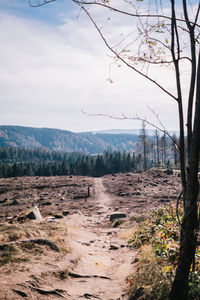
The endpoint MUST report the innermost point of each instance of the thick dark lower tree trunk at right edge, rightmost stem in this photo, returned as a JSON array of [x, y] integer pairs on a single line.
[[190, 221]]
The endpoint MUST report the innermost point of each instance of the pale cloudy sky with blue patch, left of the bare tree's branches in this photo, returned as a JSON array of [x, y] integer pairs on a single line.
[[54, 66]]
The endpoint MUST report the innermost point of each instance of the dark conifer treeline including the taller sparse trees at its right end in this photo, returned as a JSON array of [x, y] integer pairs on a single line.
[[151, 151]]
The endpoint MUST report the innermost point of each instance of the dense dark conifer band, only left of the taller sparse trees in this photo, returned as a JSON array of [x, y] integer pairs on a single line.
[[15, 162]]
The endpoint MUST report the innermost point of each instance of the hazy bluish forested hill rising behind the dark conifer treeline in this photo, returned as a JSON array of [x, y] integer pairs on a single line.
[[62, 140]]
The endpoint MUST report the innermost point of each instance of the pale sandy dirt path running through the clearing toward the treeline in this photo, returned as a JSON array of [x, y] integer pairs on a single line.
[[103, 259]]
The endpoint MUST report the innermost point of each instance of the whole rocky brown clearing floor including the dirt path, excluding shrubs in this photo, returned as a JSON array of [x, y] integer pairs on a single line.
[[75, 251]]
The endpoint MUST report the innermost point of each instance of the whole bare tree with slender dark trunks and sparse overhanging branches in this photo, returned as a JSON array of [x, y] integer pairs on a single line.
[[166, 36]]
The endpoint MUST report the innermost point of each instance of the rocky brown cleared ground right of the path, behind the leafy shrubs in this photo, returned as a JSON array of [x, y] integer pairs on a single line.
[[137, 193]]
